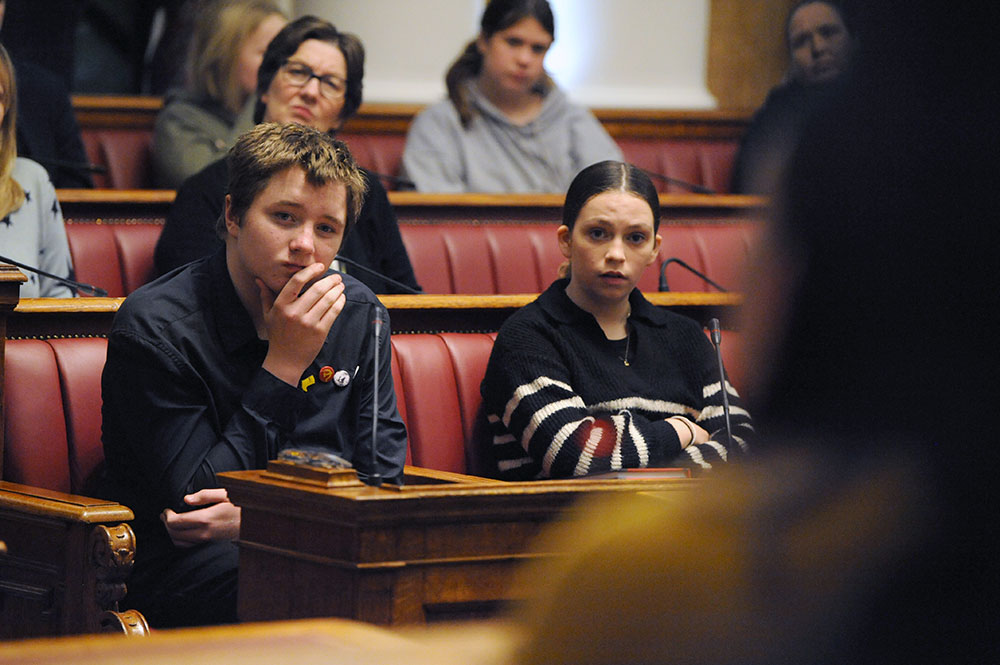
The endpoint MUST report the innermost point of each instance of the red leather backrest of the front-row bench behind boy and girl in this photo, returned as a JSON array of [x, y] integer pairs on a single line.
[[52, 402]]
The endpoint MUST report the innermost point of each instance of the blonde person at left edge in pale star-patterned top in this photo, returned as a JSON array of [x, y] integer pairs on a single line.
[[31, 223]]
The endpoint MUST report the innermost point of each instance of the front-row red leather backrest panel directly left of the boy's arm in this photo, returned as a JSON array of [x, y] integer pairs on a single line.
[[80, 363]]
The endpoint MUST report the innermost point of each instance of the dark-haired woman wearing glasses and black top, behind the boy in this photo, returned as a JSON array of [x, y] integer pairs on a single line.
[[311, 74]]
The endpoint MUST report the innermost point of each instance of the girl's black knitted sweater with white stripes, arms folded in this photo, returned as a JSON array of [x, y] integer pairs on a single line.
[[561, 402]]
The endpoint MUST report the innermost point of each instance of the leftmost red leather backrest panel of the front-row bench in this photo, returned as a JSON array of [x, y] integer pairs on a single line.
[[36, 451]]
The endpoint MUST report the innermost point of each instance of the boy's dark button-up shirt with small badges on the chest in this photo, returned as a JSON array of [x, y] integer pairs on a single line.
[[185, 396]]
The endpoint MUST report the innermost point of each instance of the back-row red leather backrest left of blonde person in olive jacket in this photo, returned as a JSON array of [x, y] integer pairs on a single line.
[[125, 153]]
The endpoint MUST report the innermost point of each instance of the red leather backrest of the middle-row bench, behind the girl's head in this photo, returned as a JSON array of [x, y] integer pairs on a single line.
[[447, 257]]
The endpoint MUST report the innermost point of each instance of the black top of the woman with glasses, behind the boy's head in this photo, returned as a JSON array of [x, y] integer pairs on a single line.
[[374, 241]]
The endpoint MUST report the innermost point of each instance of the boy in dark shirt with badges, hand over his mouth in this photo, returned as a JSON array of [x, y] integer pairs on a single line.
[[224, 363]]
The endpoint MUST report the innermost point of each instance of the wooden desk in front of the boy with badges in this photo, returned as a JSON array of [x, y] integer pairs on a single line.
[[444, 547]]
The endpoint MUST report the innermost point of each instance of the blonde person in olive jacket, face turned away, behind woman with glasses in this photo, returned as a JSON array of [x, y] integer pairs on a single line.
[[199, 123]]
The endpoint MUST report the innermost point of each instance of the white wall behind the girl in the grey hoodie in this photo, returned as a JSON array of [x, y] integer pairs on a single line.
[[607, 53]]
